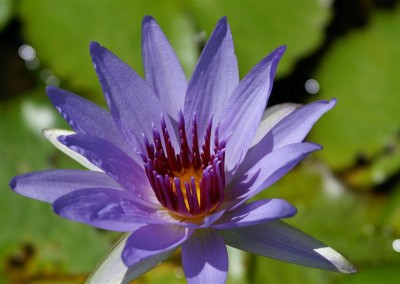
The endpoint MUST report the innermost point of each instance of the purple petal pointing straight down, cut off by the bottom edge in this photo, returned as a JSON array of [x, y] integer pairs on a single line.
[[204, 258]]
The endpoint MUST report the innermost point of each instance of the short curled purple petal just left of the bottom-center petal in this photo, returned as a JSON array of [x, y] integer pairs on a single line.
[[152, 240]]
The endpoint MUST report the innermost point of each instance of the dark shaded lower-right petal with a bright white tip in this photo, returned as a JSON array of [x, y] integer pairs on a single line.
[[281, 241]]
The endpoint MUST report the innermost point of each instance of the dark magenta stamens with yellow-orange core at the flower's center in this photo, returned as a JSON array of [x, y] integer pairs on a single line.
[[190, 184]]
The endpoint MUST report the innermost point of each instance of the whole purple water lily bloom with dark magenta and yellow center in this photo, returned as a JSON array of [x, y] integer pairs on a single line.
[[174, 164]]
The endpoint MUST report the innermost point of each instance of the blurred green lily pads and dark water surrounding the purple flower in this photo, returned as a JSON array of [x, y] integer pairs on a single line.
[[348, 195]]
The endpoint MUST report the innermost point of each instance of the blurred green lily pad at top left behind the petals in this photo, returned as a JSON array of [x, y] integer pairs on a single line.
[[61, 31]]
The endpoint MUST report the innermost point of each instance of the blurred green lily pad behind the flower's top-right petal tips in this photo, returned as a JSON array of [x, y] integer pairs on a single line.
[[258, 27]]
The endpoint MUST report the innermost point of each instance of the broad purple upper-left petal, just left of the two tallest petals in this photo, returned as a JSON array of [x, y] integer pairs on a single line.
[[133, 104]]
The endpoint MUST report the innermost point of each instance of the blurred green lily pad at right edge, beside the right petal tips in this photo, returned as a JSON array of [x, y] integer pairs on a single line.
[[361, 71]]
